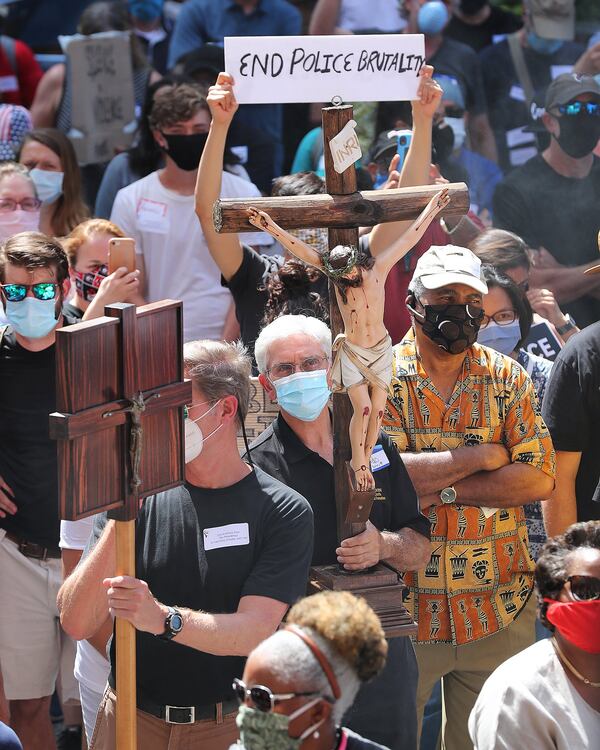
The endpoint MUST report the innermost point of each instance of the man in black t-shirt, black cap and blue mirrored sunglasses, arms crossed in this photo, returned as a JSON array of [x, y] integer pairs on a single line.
[[552, 201]]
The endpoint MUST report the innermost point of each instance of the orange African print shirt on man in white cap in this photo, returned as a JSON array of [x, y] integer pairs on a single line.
[[480, 573]]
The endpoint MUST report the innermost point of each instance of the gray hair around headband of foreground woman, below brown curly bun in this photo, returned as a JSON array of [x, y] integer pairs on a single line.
[[291, 660]]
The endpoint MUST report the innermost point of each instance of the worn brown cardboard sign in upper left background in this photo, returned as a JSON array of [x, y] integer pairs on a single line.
[[102, 94]]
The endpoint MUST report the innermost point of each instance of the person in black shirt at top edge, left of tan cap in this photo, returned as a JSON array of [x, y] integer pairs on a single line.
[[476, 23]]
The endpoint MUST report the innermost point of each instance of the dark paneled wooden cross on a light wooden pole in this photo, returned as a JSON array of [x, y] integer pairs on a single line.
[[119, 427]]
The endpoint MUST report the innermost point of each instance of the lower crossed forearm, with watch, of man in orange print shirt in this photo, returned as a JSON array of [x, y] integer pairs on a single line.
[[507, 487]]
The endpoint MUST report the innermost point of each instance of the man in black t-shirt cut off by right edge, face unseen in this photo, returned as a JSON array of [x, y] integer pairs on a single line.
[[571, 409]]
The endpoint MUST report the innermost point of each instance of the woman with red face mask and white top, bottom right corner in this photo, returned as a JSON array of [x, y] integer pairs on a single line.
[[548, 696]]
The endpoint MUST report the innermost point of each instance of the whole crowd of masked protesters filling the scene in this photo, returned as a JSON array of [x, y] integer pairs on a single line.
[[485, 468]]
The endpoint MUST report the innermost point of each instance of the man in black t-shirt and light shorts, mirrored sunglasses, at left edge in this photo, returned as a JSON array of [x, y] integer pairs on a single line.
[[34, 282]]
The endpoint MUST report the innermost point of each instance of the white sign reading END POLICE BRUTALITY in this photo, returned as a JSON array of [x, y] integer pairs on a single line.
[[348, 68]]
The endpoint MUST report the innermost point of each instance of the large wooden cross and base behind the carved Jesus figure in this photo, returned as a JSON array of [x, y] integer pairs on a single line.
[[342, 210]]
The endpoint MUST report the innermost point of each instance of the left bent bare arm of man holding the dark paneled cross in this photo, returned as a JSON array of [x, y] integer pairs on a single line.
[[82, 599]]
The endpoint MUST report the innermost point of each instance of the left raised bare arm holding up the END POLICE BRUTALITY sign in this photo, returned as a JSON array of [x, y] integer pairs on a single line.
[[225, 249]]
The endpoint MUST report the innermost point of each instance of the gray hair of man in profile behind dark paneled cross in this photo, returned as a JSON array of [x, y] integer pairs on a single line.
[[220, 369]]
